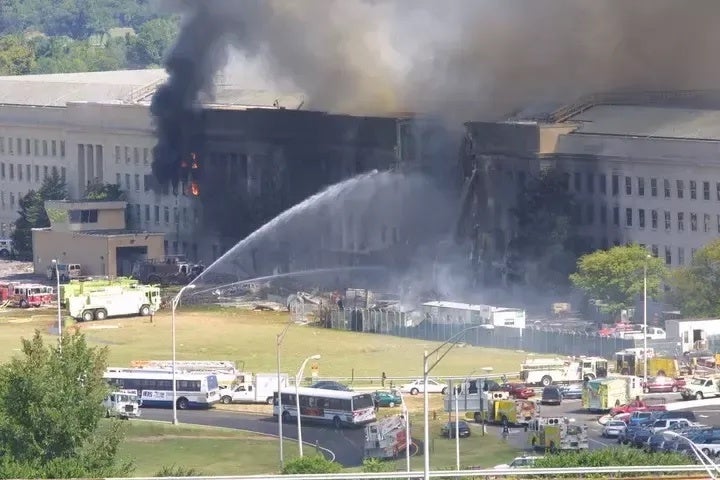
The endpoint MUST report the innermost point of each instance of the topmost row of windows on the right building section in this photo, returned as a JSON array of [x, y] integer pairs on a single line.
[[639, 187]]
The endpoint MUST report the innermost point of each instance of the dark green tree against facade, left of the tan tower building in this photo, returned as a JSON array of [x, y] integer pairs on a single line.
[[32, 212]]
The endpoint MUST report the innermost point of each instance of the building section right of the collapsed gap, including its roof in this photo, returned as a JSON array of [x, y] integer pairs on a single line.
[[641, 168]]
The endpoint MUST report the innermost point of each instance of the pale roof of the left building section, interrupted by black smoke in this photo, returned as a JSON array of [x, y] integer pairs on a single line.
[[124, 86]]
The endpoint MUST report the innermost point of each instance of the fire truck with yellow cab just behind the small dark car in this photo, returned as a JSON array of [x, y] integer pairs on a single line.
[[492, 407]]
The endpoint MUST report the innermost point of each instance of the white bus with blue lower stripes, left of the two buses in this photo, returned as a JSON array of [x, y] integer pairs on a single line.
[[154, 387]]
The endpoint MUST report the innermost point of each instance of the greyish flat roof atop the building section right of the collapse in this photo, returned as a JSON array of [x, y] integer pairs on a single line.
[[649, 122]]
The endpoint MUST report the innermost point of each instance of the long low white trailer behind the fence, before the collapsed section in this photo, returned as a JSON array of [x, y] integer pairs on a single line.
[[454, 313]]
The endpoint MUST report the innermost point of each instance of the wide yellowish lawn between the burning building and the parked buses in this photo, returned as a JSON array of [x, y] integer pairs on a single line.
[[249, 337]]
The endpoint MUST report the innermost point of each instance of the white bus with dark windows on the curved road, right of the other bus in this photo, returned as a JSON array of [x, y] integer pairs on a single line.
[[339, 407]]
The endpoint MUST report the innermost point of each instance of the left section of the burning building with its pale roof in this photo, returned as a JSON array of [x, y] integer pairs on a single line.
[[250, 155]]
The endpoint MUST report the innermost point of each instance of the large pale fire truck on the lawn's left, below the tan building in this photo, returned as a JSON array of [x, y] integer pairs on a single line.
[[114, 303]]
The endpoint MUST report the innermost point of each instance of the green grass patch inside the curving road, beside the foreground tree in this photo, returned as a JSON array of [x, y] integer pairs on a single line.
[[210, 451]]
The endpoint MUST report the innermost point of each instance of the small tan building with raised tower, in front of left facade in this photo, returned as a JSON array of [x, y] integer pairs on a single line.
[[93, 234]]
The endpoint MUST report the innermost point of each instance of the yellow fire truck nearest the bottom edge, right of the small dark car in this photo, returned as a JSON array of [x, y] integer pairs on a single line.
[[557, 434]]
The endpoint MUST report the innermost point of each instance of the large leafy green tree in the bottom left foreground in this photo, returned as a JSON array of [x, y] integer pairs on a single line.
[[50, 411]]
